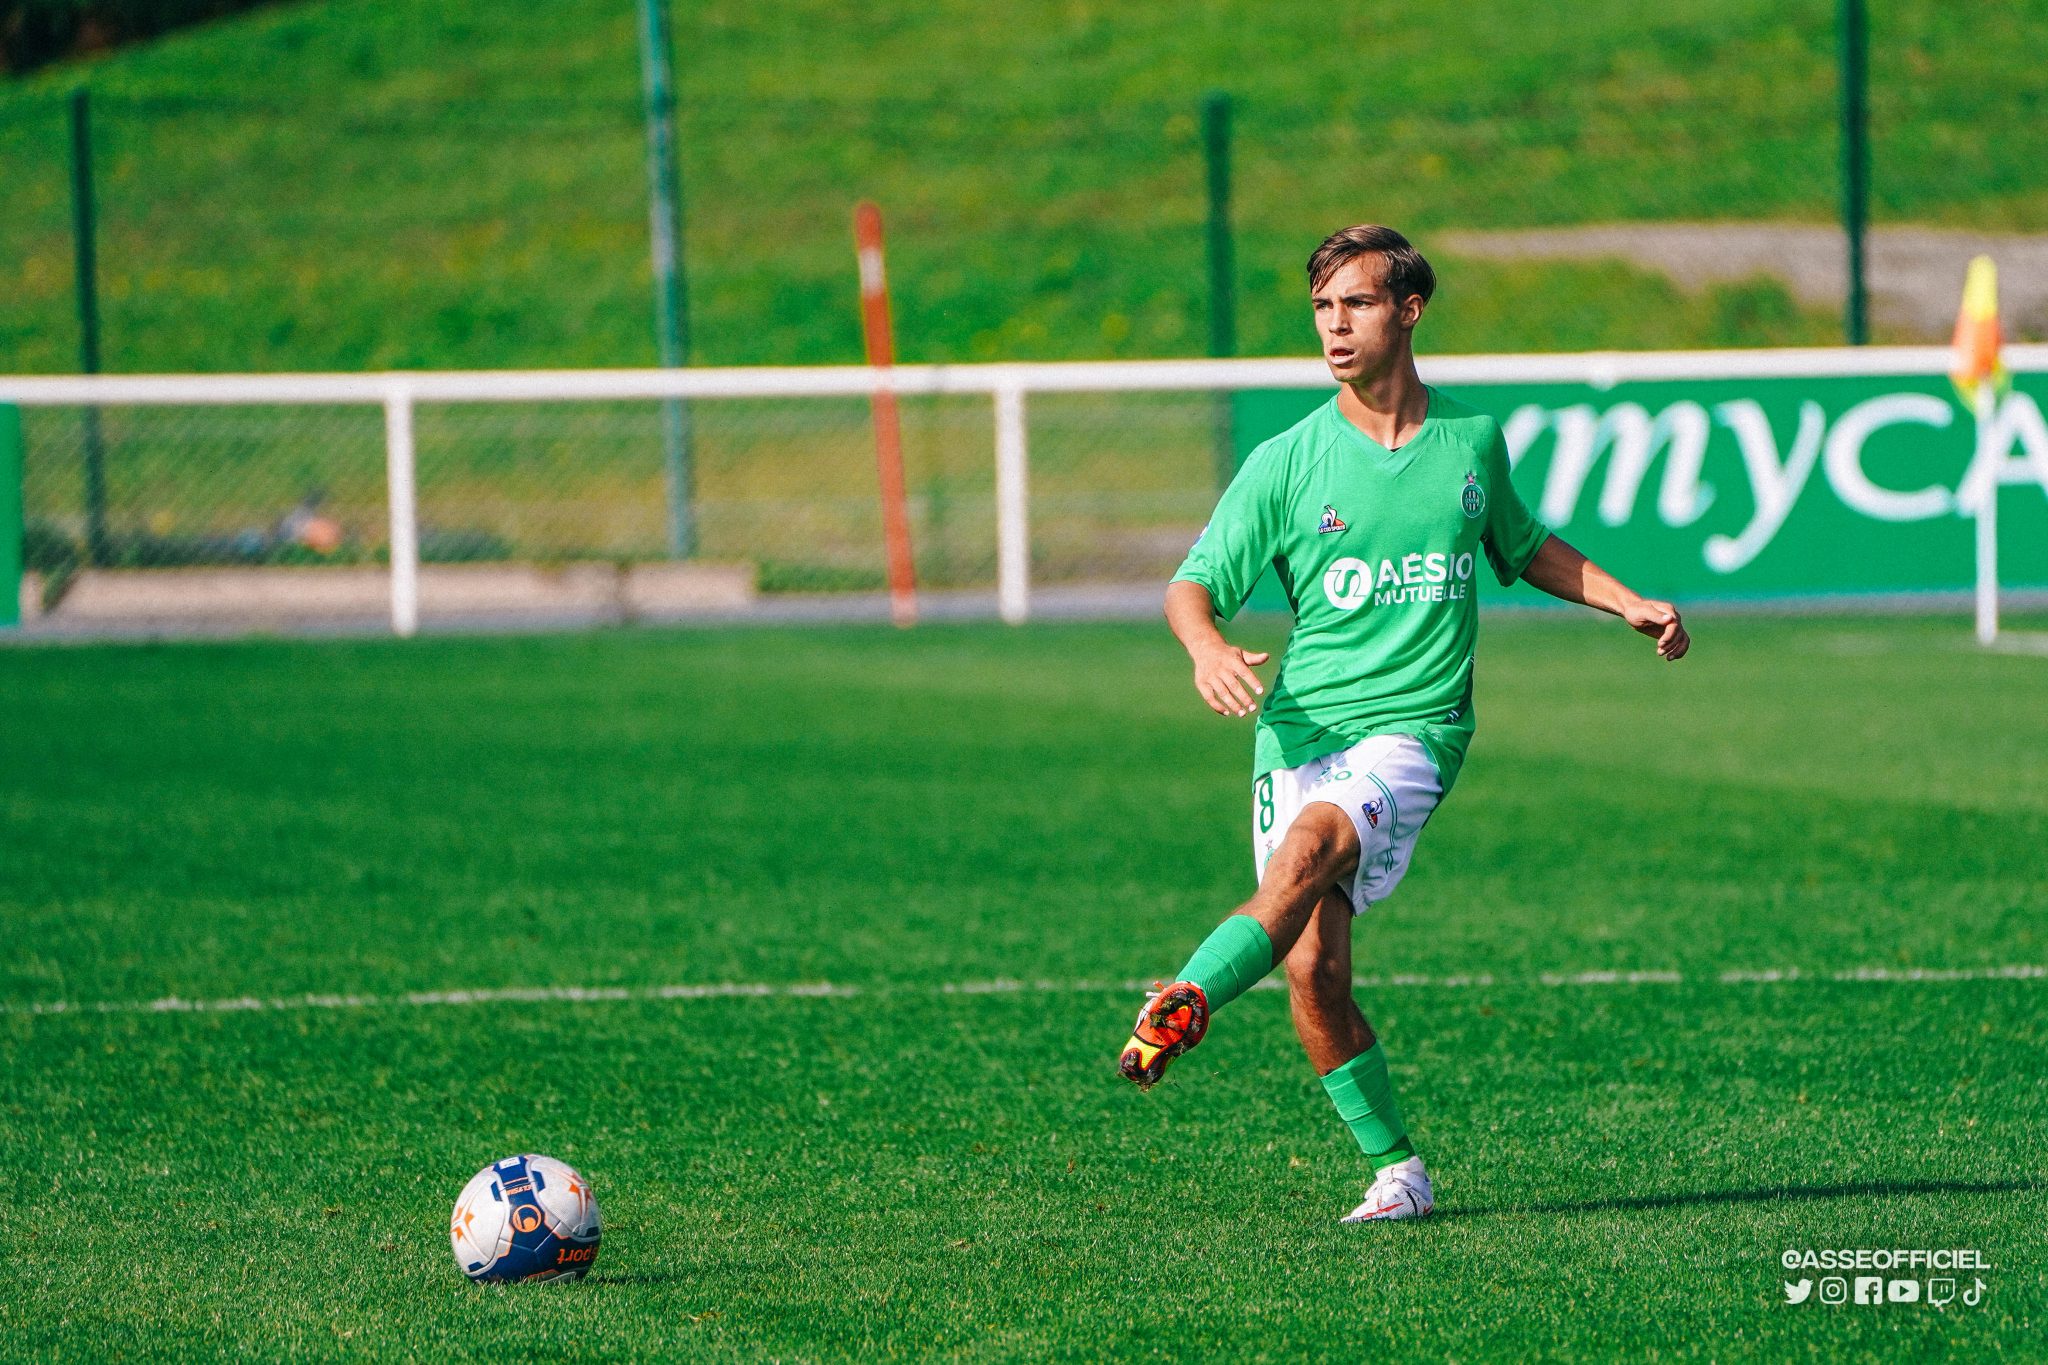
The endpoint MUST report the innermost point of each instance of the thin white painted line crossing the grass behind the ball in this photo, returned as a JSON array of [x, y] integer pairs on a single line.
[[585, 996]]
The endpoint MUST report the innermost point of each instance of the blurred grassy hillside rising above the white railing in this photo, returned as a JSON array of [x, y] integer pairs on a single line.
[[376, 183]]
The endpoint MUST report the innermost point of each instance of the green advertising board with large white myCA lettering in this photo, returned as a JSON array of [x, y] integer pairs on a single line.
[[1754, 488]]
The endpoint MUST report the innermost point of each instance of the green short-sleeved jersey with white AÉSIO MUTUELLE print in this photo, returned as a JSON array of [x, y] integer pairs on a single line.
[[1377, 556]]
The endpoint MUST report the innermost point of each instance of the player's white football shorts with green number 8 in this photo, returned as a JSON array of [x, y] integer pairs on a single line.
[[1388, 785]]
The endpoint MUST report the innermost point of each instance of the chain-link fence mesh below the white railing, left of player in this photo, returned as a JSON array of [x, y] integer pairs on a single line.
[[787, 488]]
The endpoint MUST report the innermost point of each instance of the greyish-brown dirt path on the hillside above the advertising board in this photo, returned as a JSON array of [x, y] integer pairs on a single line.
[[1916, 273]]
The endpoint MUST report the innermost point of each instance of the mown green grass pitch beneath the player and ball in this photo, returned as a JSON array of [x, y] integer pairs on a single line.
[[910, 1170]]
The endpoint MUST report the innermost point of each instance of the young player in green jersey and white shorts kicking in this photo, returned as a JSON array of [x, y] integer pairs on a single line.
[[1373, 513]]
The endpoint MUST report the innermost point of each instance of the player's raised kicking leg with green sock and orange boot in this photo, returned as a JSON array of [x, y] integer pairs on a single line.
[[1318, 852]]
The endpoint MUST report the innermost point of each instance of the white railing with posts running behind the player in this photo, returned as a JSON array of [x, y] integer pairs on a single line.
[[1007, 386]]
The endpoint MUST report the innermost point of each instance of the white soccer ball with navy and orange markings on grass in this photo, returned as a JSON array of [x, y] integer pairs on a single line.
[[525, 1219]]
